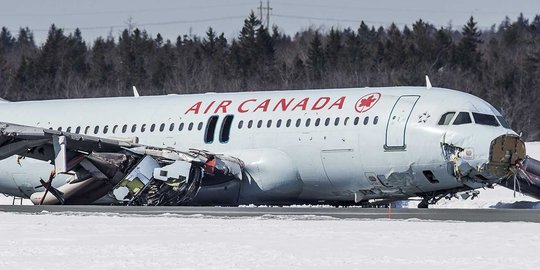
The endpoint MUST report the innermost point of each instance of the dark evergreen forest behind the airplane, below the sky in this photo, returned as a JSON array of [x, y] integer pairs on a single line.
[[501, 65]]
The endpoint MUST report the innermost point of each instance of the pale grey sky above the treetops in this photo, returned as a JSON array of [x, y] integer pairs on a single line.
[[173, 17]]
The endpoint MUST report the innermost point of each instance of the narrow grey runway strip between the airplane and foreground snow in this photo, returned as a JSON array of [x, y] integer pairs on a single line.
[[469, 215]]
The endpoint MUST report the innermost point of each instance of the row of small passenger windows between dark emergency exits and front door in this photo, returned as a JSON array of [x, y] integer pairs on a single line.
[[308, 122]]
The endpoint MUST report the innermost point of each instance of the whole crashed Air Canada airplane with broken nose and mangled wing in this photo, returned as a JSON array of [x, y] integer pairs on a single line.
[[333, 146]]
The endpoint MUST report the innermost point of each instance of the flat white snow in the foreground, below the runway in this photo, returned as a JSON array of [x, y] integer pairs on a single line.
[[52, 241]]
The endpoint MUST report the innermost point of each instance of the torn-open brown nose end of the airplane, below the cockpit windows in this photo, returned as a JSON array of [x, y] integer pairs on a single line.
[[504, 153]]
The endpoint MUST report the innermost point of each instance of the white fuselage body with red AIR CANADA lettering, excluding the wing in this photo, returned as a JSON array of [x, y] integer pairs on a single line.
[[341, 141]]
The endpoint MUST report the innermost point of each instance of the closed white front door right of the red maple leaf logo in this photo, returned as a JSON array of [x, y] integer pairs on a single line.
[[397, 122]]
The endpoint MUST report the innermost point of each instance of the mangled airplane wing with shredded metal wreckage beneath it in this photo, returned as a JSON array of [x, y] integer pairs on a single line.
[[135, 173]]
